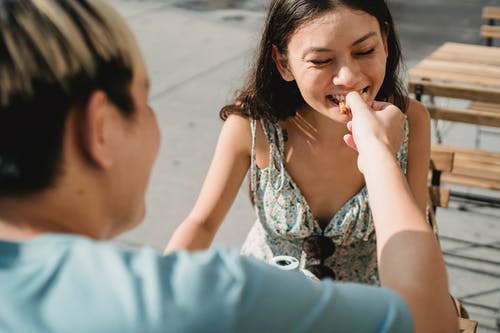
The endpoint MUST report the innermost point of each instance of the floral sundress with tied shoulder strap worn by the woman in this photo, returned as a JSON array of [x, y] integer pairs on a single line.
[[284, 218]]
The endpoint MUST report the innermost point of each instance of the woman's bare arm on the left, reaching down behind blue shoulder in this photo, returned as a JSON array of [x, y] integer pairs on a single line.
[[229, 166]]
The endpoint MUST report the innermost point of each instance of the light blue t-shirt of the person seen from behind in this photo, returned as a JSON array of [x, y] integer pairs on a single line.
[[63, 283]]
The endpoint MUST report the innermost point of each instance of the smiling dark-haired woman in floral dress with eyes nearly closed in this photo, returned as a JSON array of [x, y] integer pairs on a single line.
[[286, 127]]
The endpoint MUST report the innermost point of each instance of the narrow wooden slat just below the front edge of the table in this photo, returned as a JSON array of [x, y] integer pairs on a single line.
[[465, 116]]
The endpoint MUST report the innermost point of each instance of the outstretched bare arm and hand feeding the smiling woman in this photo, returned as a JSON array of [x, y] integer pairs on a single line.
[[410, 260]]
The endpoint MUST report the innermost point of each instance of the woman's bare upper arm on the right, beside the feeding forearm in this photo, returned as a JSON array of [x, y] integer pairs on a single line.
[[418, 151]]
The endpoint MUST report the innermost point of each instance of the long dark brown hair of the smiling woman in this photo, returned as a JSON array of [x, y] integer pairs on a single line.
[[266, 95]]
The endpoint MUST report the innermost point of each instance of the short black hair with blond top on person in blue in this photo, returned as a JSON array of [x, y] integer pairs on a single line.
[[53, 55]]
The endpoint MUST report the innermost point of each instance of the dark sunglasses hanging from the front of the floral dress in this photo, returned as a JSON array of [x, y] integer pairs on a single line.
[[319, 247]]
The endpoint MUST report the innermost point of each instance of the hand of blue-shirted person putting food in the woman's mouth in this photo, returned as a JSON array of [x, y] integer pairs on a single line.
[[373, 127]]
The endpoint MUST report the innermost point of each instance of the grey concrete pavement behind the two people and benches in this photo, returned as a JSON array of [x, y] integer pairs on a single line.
[[198, 52]]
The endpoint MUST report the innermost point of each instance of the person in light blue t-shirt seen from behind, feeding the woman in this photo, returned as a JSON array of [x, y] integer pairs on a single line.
[[77, 144]]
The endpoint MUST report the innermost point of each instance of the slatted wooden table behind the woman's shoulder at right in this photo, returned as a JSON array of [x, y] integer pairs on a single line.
[[465, 71]]
